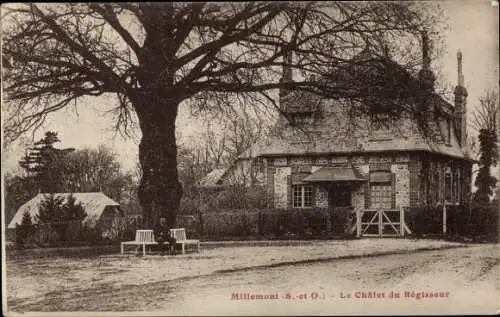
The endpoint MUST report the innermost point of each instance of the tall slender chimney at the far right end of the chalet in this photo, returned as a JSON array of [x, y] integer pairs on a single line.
[[460, 104]]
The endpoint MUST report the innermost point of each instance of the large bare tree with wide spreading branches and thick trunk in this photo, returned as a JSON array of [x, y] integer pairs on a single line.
[[154, 57]]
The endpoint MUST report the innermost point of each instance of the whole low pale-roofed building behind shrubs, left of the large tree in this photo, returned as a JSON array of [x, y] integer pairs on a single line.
[[102, 212]]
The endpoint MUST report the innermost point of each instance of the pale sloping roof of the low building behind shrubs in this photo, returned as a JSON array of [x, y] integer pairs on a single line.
[[94, 204]]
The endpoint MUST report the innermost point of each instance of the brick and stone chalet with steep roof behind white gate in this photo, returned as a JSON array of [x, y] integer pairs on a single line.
[[321, 157]]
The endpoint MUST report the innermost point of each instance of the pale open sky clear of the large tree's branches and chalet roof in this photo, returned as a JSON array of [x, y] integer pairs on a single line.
[[473, 29]]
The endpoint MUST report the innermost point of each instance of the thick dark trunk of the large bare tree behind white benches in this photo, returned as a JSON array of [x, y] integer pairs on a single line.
[[160, 191]]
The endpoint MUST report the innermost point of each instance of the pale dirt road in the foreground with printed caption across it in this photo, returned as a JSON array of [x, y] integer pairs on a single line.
[[455, 281]]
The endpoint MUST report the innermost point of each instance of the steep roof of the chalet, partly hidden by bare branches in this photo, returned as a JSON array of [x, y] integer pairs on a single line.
[[330, 140]]
